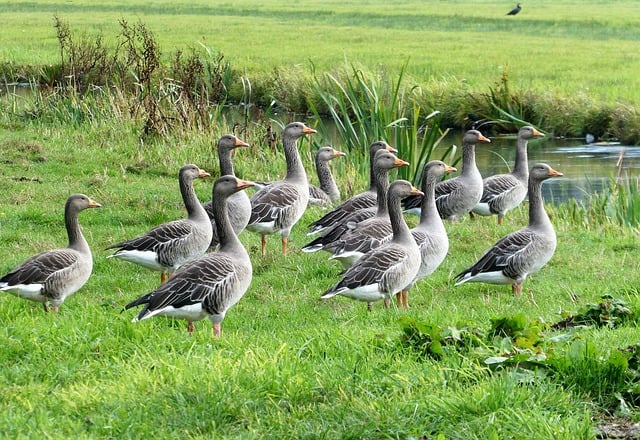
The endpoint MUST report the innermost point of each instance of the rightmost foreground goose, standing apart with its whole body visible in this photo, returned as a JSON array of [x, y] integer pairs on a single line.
[[523, 252]]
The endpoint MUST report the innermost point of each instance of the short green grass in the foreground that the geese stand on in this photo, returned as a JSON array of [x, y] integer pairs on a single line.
[[288, 364]]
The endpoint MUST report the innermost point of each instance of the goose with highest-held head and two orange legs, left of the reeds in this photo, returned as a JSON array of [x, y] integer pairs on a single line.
[[277, 207]]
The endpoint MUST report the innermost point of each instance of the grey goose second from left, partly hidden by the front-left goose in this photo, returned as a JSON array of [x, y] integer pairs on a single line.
[[168, 246]]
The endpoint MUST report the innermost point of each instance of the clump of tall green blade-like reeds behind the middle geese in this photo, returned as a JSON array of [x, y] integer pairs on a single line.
[[363, 108]]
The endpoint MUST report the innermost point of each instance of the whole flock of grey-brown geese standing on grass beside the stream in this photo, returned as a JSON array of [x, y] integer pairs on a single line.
[[205, 269]]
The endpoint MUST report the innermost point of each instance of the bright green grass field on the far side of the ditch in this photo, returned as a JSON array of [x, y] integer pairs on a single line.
[[564, 46]]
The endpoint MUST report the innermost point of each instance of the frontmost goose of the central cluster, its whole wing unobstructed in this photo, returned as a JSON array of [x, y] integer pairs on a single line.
[[387, 269]]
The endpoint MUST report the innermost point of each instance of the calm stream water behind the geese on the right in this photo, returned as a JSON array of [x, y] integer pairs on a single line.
[[587, 168]]
